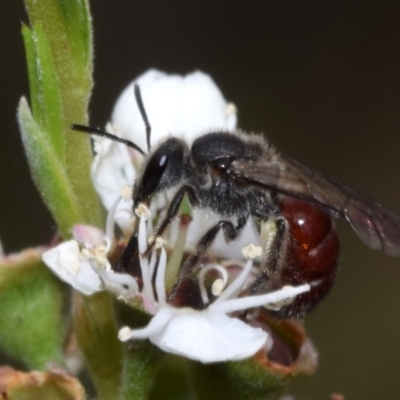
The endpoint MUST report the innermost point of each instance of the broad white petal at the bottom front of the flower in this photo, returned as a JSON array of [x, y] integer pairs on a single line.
[[209, 337]]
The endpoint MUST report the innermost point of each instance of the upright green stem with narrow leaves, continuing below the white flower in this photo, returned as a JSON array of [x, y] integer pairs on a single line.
[[59, 52]]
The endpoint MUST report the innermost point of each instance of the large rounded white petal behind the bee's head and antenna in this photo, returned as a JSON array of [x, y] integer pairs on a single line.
[[179, 105]]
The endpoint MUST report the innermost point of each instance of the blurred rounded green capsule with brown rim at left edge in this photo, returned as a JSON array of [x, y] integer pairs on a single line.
[[32, 325]]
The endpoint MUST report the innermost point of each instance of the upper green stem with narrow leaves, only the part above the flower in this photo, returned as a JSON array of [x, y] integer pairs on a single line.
[[59, 55]]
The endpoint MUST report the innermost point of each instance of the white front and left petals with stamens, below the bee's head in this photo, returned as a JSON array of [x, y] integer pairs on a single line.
[[210, 335]]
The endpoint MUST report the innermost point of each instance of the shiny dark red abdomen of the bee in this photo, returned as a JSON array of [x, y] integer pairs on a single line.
[[311, 255]]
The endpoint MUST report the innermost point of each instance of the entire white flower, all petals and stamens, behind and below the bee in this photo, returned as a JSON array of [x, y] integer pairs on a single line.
[[189, 105]]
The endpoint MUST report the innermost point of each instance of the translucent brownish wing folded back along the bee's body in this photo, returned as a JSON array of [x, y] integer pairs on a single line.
[[376, 226]]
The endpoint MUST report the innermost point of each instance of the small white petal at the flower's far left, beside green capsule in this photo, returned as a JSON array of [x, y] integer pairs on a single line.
[[65, 261]]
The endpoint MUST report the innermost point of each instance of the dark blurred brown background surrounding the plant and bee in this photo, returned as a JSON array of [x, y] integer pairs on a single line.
[[320, 78]]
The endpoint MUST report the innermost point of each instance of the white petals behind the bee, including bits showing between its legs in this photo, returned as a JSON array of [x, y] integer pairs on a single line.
[[186, 106]]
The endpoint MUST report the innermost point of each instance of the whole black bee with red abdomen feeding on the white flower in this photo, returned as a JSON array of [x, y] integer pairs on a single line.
[[241, 176]]
